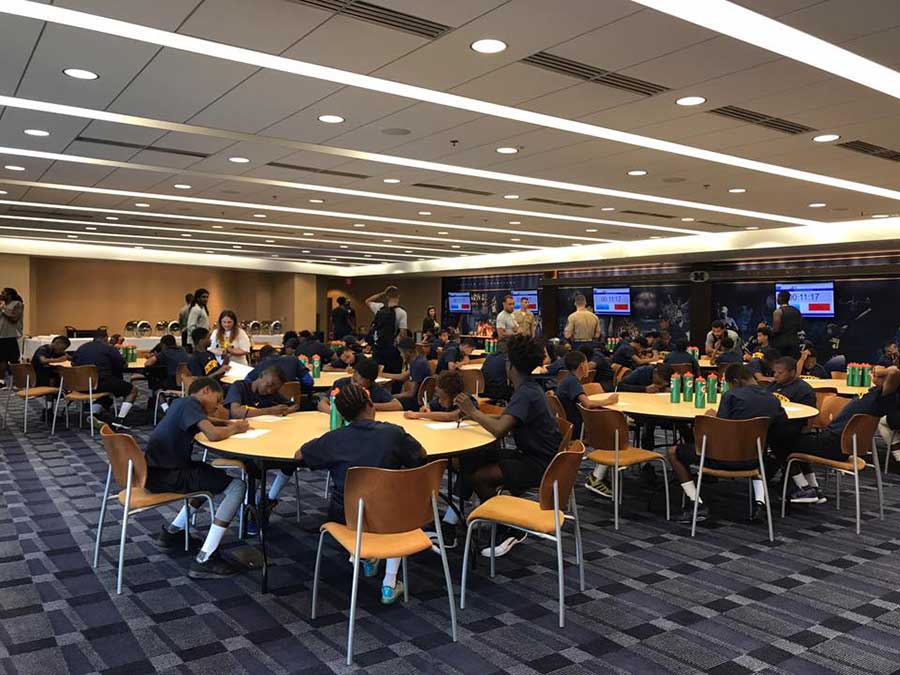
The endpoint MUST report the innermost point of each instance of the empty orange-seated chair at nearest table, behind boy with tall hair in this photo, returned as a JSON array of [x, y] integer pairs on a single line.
[[543, 518]]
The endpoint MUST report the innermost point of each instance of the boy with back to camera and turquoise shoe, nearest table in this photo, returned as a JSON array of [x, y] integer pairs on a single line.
[[364, 442]]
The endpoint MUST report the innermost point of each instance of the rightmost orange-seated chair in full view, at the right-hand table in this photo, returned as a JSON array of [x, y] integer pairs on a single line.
[[857, 439]]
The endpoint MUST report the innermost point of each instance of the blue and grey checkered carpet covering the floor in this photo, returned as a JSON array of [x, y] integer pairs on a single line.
[[820, 599]]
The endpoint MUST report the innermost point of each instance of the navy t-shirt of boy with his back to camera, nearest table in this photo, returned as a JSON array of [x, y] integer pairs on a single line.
[[361, 443]]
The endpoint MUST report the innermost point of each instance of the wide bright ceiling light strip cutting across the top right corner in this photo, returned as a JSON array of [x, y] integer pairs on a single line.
[[743, 24]]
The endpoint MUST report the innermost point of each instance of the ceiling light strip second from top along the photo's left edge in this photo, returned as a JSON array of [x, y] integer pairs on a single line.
[[406, 162]]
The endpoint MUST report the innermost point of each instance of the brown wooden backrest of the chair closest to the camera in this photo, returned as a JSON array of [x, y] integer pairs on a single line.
[[395, 500]]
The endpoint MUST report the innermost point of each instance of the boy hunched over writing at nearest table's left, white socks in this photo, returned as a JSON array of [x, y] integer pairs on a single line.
[[171, 469]]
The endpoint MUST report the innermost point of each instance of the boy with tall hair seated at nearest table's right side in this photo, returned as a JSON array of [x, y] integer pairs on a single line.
[[527, 417]]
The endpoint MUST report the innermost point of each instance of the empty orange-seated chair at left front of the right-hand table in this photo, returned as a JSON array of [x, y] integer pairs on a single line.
[[606, 433]]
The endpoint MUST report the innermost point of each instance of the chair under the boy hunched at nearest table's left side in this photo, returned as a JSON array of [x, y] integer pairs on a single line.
[[128, 466]]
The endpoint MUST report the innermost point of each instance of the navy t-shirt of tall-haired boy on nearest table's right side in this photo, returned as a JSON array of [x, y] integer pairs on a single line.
[[536, 432]]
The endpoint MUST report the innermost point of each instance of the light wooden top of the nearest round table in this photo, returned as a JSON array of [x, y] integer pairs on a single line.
[[287, 434]]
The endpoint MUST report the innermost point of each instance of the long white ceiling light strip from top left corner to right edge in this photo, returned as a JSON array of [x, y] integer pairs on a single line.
[[155, 36]]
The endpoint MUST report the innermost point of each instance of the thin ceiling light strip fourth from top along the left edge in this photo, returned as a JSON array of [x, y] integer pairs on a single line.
[[310, 212]]
